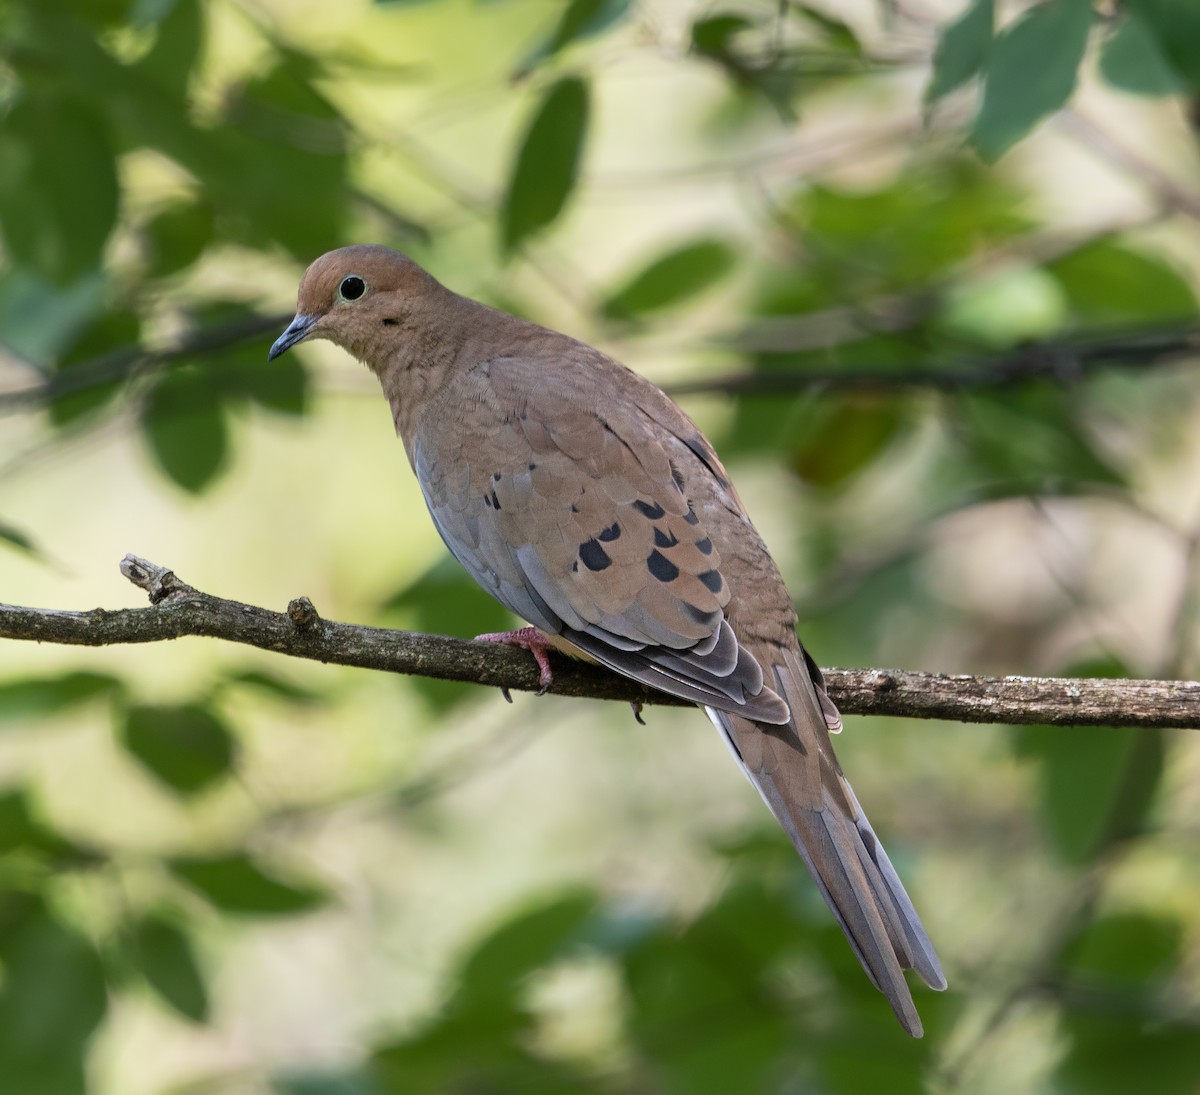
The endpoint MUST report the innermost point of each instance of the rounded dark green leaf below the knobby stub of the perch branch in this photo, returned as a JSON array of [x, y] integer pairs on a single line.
[[187, 747]]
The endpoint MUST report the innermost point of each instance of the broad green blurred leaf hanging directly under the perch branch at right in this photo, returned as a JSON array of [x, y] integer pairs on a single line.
[[1096, 792]]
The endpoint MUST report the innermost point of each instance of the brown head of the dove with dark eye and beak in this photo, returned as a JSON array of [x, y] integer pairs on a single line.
[[358, 298]]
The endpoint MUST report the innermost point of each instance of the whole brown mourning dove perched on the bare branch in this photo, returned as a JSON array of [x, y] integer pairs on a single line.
[[584, 500]]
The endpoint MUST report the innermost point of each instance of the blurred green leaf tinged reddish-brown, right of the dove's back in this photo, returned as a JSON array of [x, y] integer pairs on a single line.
[[850, 434]]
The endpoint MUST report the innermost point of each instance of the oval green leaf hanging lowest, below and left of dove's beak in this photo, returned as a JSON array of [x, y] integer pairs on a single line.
[[184, 424]]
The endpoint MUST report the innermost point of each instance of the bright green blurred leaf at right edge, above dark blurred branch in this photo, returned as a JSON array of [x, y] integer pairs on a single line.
[[1108, 285]]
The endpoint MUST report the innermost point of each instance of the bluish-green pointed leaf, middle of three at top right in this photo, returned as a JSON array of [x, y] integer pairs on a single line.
[[1030, 74]]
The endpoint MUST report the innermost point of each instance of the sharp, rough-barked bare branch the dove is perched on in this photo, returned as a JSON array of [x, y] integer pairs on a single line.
[[178, 611]]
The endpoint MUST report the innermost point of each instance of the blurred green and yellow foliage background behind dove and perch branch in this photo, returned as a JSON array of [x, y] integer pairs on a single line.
[[927, 274]]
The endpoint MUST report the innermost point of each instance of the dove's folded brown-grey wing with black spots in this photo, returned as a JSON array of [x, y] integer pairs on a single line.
[[572, 512]]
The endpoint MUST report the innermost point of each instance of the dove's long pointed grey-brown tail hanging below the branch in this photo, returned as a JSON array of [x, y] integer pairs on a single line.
[[795, 769]]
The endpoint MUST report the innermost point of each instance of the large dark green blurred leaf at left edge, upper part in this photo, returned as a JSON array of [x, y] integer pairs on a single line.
[[58, 186]]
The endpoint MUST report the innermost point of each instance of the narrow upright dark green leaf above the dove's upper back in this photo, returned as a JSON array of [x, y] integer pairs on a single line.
[[548, 161]]
